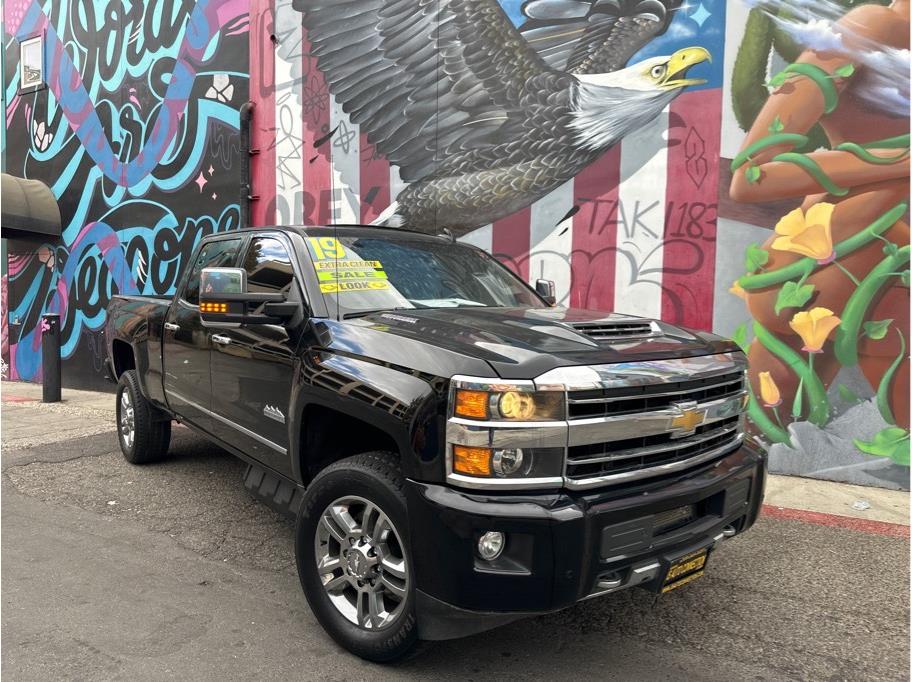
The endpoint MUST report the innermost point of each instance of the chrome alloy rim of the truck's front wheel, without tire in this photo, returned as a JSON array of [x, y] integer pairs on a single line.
[[361, 562]]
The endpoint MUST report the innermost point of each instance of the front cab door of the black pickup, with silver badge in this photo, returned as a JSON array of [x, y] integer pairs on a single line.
[[253, 365]]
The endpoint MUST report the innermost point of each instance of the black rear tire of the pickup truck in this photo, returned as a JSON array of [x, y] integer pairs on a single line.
[[151, 428]]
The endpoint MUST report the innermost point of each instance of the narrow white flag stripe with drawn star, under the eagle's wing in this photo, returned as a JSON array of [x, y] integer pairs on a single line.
[[346, 165]]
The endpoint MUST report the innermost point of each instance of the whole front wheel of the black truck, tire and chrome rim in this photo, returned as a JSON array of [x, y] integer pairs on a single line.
[[353, 556]]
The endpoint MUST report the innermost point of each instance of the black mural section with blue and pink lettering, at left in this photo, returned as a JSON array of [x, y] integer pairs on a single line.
[[136, 134]]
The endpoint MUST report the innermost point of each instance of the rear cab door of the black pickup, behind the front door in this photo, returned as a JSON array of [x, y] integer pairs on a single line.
[[186, 343]]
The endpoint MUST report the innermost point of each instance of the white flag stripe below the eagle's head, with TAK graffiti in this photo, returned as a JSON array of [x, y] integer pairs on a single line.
[[641, 220]]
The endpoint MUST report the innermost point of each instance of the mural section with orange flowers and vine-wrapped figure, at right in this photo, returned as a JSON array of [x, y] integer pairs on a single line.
[[815, 219]]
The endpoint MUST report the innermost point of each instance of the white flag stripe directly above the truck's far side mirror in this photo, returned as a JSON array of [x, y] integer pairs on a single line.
[[551, 242]]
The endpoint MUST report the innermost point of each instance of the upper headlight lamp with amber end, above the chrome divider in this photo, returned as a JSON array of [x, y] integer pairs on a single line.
[[508, 405]]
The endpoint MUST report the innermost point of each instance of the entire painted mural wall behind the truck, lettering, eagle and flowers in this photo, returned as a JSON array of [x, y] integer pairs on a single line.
[[740, 167]]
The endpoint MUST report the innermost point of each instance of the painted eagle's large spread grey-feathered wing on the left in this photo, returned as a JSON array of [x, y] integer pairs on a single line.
[[422, 78]]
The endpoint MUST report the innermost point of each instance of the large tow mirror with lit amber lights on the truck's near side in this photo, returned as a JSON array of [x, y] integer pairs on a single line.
[[225, 301]]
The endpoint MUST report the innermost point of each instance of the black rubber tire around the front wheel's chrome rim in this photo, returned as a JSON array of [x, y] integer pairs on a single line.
[[376, 478]]
